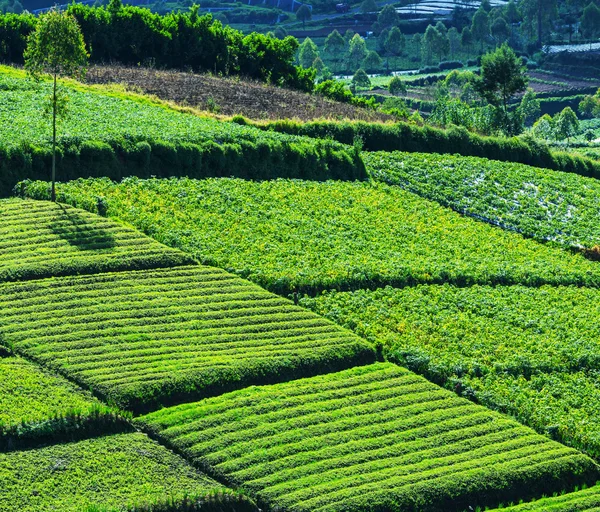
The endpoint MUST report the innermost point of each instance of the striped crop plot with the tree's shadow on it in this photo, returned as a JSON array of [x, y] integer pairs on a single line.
[[42, 239]]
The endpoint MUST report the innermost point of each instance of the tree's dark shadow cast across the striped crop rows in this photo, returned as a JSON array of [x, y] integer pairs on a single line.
[[81, 231]]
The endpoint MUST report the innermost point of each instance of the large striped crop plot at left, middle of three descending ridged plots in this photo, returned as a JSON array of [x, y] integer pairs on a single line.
[[144, 338]]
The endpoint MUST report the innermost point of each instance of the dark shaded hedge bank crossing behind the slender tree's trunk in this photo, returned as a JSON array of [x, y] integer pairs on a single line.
[[119, 158]]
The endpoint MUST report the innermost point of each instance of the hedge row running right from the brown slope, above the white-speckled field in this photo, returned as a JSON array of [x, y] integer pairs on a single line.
[[427, 139]]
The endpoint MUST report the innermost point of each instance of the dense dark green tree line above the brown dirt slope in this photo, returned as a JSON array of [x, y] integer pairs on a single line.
[[133, 35]]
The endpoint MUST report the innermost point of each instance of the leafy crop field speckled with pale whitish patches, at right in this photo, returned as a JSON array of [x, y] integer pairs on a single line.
[[538, 203]]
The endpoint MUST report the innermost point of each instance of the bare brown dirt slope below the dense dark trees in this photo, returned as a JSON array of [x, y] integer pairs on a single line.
[[228, 96]]
